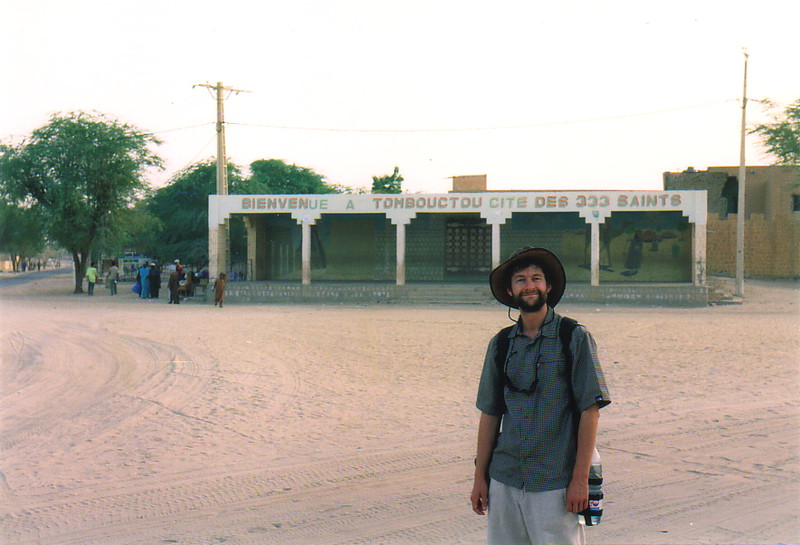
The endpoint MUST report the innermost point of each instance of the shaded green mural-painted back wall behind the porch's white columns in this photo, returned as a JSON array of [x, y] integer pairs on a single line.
[[457, 247]]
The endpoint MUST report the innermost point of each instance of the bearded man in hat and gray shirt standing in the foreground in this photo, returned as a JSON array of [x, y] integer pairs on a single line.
[[533, 477]]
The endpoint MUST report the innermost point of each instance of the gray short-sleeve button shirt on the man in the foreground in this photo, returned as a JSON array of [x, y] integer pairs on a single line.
[[536, 449]]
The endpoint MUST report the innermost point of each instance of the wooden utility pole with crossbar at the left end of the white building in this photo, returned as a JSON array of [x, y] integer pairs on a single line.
[[219, 239]]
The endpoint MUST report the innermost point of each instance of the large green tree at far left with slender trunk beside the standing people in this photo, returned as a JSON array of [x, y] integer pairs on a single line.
[[80, 170]]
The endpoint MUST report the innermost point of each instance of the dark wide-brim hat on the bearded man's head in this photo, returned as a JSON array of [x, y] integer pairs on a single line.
[[499, 279]]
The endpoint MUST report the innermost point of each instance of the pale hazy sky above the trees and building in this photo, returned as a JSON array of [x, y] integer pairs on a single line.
[[537, 95]]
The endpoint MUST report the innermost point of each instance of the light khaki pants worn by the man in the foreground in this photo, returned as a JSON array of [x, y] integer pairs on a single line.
[[517, 517]]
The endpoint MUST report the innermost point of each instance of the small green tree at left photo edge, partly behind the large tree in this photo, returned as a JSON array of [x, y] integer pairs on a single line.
[[21, 233]]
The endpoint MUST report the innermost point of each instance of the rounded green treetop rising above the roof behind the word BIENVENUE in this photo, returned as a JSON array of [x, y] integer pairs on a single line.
[[275, 177]]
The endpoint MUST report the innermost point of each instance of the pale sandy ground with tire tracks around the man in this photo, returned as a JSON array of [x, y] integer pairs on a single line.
[[137, 422]]
